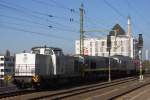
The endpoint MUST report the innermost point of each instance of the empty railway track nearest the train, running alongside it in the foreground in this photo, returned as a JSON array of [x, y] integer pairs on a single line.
[[81, 90]]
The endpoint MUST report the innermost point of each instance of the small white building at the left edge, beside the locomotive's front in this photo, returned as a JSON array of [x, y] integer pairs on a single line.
[[6, 65]]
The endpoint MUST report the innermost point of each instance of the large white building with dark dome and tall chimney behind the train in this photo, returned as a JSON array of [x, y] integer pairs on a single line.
[[122, 43]]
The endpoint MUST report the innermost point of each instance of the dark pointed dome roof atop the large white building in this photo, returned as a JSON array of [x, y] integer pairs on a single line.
[[119, 30]]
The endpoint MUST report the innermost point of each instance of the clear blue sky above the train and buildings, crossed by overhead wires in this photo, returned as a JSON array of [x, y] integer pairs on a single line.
[[24, 23]]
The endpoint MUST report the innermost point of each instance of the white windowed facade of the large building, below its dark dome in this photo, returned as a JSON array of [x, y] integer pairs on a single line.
[[98, 46]]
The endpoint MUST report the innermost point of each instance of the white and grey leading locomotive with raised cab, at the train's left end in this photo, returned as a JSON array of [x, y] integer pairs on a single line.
[[44, 63]]
